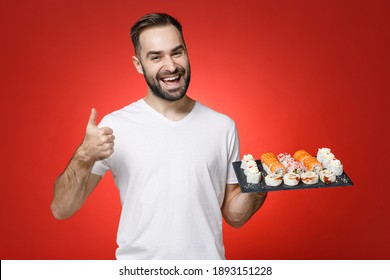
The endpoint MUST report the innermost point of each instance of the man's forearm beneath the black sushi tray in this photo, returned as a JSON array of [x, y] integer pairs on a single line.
[[241, 207]]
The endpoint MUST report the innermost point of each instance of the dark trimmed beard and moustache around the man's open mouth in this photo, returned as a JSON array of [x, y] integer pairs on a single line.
[[169, 94]]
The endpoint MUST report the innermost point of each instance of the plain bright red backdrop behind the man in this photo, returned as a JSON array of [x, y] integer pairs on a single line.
[[293, 74]]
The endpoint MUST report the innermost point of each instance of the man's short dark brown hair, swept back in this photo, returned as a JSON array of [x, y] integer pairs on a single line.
[[152, 20]]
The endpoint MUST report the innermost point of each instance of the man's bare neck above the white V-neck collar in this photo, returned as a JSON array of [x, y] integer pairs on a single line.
[[173, 110]]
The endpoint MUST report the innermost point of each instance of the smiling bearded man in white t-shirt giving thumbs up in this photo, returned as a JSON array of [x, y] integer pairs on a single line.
[[172, 162]]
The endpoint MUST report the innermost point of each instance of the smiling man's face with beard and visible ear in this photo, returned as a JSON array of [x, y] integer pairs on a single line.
[[163, 61]]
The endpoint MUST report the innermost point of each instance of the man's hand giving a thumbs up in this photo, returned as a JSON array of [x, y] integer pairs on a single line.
[[98, 142]]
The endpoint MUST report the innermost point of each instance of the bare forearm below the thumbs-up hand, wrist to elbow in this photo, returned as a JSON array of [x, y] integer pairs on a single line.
[[70, 189]]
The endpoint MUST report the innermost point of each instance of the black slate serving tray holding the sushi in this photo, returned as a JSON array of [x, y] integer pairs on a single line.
[[341, 181]]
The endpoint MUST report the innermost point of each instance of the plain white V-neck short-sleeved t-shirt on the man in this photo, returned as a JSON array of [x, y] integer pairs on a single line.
[[171, 177]]
